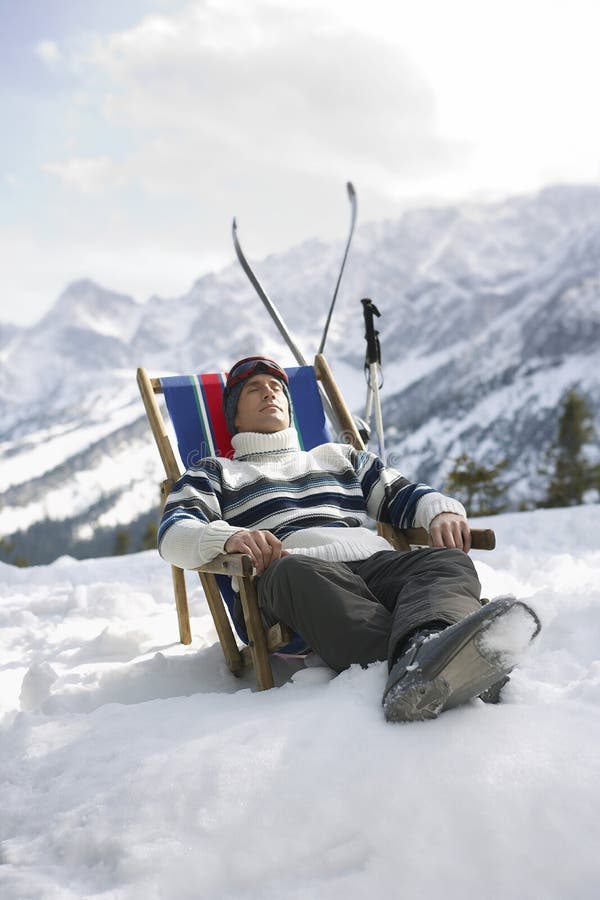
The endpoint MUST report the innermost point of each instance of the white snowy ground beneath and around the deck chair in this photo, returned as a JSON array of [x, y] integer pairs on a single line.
[[134, 767]]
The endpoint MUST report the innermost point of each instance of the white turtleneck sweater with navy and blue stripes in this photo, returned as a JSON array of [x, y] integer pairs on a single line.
[[317, 502]]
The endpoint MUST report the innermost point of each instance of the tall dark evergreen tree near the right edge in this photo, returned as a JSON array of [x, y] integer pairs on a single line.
[[571, 472]]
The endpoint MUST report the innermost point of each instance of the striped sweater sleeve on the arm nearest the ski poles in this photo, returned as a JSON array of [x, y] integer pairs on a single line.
[[392, 498]]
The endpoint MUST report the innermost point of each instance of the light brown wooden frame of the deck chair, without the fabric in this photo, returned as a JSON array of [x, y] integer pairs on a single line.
[[262, 641]]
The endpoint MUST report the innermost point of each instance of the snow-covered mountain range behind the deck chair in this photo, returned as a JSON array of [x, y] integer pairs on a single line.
[[488, 314]]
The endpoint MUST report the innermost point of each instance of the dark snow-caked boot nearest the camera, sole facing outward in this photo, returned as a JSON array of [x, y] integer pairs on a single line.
[[459, 663]]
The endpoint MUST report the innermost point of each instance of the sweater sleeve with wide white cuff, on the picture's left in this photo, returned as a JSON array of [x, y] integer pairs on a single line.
[[191, 530]]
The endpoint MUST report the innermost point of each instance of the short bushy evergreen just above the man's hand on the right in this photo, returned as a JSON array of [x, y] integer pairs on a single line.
[[479, 487]]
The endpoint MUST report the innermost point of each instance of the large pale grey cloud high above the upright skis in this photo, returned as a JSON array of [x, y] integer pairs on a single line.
[[283, 89]]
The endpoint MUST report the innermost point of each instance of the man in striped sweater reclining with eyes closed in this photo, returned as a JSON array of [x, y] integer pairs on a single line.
[[302, 517]]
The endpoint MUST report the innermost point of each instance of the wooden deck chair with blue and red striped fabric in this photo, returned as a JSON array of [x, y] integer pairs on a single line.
[[194, 407]]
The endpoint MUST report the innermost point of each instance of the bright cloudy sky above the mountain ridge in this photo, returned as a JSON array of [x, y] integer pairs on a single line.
[[134, 132]]
